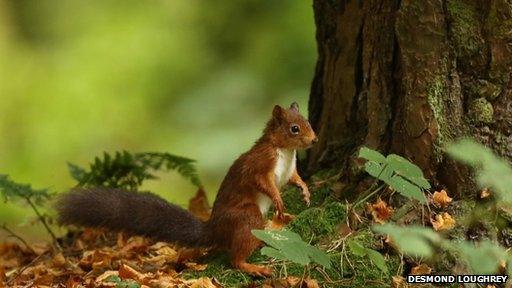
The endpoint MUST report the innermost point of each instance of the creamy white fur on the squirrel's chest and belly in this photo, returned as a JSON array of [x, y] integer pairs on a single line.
[[285, 165]]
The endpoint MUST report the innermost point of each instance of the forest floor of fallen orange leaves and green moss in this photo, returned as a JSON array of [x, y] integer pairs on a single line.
[[97, 258]]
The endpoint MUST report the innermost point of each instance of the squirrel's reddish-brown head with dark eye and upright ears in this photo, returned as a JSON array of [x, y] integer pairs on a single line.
[[289, 129]]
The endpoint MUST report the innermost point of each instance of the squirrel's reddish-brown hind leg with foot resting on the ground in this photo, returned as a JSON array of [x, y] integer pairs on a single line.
[[244, 243]]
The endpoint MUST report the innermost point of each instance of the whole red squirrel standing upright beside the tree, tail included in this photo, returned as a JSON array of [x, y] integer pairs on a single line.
[[248, 190]]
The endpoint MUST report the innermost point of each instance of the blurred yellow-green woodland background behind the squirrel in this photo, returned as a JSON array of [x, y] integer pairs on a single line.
[[184, 76]]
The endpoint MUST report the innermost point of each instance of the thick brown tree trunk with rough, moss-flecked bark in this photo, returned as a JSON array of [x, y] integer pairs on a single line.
[[409, 76]]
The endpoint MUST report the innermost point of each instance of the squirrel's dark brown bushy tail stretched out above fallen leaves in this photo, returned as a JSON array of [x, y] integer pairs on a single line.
[[134, 212]]
